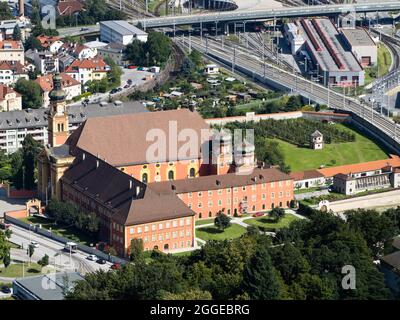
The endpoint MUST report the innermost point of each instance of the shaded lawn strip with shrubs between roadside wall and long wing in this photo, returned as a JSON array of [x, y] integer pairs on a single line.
[[71, 232]]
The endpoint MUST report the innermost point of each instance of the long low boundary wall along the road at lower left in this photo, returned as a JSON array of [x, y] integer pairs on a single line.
[[51, 235]]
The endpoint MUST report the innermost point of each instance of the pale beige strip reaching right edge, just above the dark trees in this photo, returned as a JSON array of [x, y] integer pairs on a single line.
[[387, 199]]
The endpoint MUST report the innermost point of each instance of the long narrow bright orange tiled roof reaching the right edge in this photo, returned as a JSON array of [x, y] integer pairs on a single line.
[[394, 161]]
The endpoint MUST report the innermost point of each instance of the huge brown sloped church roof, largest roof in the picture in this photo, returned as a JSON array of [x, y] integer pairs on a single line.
[[123, 139]]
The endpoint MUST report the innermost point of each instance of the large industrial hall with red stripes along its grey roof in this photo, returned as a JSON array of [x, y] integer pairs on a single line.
[[320, 42]]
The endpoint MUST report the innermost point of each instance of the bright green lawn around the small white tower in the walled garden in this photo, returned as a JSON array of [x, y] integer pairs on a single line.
[[335, 154]]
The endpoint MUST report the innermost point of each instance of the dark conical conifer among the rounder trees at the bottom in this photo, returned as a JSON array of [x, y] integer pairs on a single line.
[[260, 279]]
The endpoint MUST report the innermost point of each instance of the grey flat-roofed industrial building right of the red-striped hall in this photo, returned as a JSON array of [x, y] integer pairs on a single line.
[[362, 46]]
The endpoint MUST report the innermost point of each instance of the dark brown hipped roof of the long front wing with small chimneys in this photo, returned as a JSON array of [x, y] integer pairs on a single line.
[[131, 201]]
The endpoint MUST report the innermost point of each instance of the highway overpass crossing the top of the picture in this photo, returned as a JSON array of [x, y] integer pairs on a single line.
[[264, 14]]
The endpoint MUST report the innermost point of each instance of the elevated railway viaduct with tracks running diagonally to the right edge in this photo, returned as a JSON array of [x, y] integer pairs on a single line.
[[252, 65]]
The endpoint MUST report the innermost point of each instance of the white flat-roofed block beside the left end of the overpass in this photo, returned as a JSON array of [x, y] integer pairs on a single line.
[[121, 32]]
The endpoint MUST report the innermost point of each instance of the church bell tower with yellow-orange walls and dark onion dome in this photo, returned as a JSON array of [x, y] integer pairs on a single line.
[[58, 118]]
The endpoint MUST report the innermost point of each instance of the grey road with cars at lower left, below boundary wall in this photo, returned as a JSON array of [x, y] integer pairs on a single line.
[[62, 260]]
